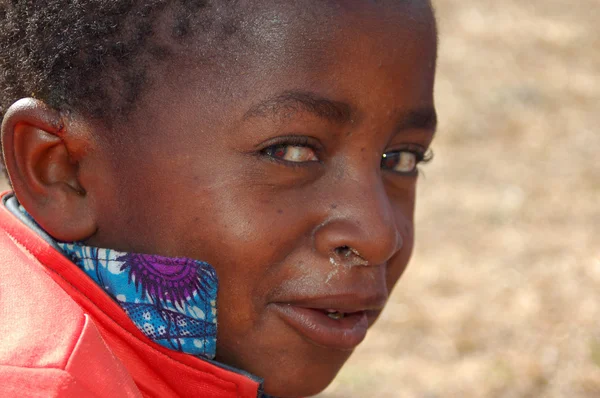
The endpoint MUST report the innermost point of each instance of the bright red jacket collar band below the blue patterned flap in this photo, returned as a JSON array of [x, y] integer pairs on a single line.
[[88, 294]]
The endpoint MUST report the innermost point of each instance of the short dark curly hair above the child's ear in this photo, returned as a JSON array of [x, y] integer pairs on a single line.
[[93, 55]]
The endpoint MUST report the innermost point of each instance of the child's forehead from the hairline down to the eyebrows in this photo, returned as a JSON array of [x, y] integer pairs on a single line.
[[338, 49]]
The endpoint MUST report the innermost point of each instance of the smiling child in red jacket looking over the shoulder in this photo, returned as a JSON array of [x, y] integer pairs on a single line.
[[172, 159]]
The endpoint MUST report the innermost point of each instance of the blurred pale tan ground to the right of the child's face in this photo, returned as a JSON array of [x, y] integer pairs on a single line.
[[502, 297]]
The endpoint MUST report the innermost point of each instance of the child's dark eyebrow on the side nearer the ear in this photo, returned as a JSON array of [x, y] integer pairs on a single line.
[[295, 101]]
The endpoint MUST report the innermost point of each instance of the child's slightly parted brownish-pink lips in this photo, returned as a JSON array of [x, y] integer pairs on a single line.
[[310, 320]]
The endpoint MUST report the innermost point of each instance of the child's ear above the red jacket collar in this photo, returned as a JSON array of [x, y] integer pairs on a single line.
[[39, 153]]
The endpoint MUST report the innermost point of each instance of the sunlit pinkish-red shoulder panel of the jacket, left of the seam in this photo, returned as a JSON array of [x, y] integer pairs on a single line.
[[40, 323]]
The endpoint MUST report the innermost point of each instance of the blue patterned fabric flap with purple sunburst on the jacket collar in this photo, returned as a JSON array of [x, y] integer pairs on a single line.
[[171, 300]]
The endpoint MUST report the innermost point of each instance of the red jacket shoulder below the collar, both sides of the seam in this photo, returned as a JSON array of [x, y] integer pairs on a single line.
[[47, 340]]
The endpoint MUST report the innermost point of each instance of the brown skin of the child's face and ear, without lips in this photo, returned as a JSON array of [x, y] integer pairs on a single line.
[[193, 172]]
